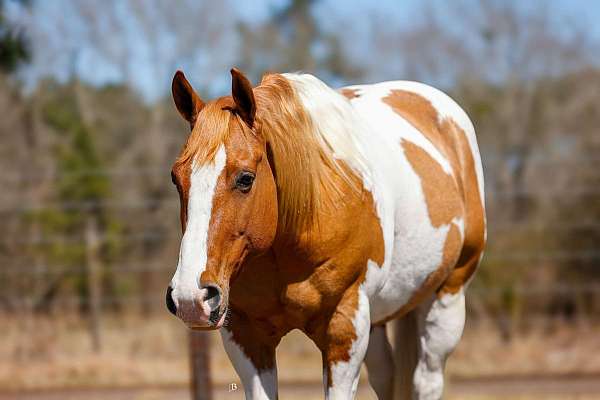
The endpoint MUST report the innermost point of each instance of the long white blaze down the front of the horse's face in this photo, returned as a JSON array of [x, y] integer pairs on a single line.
[[193, 251]]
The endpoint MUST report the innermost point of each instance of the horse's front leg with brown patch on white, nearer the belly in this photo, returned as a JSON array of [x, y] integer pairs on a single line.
[[345, 345]]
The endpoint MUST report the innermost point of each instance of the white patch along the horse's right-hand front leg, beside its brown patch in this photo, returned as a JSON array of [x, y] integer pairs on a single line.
[[345, 374]]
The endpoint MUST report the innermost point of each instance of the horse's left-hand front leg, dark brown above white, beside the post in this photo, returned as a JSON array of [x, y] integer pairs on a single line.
[[253, 358]]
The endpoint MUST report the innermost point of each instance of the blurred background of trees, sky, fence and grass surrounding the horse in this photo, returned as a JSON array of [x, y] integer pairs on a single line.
[[89, 217]]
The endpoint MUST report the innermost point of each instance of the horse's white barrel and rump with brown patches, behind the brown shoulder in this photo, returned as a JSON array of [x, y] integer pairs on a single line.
[[430, 196]]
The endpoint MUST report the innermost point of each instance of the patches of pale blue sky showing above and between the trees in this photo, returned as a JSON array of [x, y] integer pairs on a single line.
[[59, 27]]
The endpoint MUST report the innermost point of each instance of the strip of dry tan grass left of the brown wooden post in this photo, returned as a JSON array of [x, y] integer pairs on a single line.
[[56, 352]]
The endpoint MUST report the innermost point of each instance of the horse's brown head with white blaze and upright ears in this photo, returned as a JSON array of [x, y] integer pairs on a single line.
[[228, 199]]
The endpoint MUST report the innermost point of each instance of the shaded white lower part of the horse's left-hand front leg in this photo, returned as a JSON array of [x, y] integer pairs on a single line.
[[257, 385]]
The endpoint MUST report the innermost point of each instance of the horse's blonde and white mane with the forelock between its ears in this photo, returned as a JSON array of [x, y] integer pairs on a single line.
[[315, 157]]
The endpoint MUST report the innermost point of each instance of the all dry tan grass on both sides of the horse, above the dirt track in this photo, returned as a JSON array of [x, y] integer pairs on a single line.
[[52, 352]]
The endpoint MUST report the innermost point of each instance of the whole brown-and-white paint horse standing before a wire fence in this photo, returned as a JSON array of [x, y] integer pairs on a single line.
[[332, 212]]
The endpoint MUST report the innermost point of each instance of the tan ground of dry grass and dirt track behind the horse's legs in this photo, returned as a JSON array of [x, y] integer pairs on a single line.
[[146, 358]]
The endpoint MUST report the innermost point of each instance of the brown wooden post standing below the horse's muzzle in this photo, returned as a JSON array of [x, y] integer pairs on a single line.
[[201, 382]]
